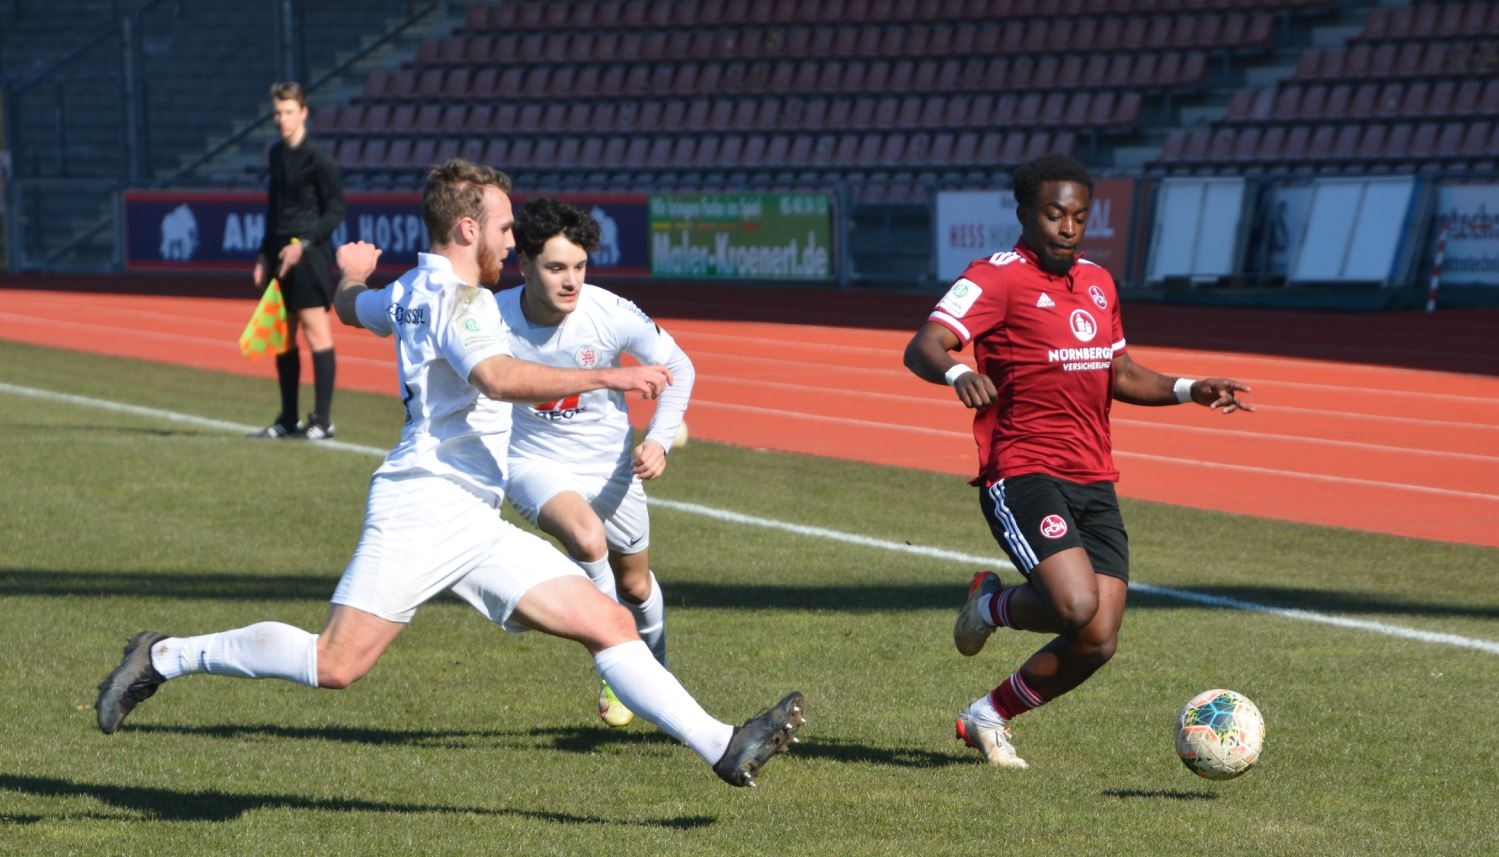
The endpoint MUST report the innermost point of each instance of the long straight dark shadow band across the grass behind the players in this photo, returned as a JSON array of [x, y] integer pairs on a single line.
[[845, 599]]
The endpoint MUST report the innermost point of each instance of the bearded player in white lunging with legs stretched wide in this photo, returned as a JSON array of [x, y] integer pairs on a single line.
[[432, 522]]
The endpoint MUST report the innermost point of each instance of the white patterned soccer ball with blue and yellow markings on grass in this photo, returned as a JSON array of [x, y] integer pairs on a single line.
[[1219, 735]]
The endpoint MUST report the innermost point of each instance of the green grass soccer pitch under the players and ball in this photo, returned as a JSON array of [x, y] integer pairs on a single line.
[[471, 741]]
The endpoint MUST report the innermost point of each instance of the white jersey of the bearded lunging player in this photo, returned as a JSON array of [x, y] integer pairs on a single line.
[[443, 329]]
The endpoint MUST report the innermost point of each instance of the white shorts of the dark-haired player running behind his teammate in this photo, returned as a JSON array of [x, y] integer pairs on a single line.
[[617, 498]]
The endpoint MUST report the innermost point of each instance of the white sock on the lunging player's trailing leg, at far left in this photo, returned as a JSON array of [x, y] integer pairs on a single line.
[[265, 651]]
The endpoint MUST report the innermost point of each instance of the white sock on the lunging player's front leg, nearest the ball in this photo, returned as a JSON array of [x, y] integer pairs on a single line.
[[648, 690]]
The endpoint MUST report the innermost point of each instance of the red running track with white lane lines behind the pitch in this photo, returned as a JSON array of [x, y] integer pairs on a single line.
[[1381, 422]]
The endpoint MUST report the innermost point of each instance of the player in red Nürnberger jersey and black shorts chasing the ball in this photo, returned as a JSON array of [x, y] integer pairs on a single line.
[[1052, 357]]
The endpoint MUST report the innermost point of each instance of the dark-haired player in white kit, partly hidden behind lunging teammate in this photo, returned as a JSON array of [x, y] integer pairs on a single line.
[[575, 468]]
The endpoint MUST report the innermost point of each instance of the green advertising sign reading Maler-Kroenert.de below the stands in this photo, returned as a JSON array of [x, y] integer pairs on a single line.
[[741, 236]]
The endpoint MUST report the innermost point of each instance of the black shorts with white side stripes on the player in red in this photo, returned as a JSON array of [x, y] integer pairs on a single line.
[[1038, 516]]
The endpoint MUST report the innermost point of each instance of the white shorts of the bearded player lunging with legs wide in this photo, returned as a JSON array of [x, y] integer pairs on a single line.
[[425, 536]]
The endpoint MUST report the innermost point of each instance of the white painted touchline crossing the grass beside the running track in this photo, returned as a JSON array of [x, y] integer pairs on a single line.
[[1384, 629]]
